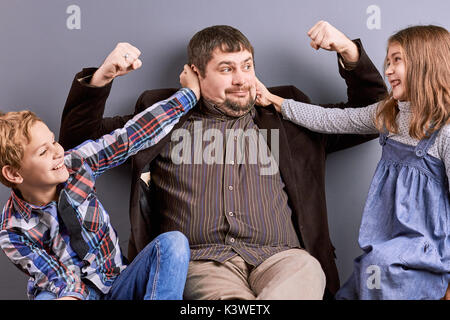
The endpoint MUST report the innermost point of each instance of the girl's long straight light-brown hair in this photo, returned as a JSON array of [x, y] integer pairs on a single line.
[[426, 52]]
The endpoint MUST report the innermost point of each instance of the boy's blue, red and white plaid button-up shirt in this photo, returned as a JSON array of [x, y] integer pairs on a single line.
[[35, 239]]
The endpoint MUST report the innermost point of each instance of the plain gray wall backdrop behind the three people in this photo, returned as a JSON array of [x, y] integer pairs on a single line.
[[44, 43]]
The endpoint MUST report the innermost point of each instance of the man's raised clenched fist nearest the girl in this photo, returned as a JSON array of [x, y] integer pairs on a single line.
[[324, 35]]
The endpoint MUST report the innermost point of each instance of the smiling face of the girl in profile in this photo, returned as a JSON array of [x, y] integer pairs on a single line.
[[396, 71]]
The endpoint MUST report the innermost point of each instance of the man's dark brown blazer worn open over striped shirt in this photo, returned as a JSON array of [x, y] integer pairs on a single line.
[[302, 155]]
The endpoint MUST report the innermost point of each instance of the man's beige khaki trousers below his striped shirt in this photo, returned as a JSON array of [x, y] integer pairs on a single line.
[[289, 275]]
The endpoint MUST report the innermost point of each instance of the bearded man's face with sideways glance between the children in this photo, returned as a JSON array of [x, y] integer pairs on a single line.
[[230, 82]]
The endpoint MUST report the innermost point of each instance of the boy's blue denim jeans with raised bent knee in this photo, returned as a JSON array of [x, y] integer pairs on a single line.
[[157, 273]]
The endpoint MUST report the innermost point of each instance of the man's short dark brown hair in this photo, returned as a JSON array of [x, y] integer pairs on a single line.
[[204, 42]]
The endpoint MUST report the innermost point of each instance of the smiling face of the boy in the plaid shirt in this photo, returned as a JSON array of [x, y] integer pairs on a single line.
[[42, 165]]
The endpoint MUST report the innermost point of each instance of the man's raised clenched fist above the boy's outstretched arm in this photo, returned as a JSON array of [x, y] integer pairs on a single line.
[[123, 59]]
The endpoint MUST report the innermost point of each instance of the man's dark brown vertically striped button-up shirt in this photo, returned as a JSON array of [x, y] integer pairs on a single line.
[[219, 184]]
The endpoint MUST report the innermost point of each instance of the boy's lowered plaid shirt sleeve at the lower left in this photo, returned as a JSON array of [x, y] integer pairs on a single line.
[[46, 271]]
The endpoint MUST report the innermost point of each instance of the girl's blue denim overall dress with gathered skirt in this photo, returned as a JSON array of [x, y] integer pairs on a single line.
[[404, 230]]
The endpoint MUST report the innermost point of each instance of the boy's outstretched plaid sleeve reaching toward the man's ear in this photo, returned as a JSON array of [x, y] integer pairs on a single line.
[[142, 131]]
